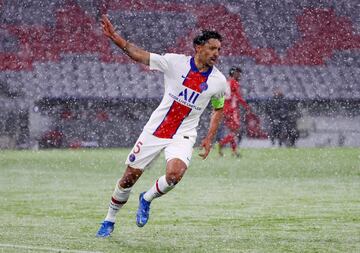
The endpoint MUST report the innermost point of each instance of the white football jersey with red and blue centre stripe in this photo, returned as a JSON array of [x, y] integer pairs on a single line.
[[187, 94]]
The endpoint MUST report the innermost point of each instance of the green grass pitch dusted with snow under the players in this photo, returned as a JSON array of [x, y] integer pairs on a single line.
[[269, 200]]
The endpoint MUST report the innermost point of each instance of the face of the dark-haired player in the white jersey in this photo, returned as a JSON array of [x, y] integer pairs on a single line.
[[209, 52]]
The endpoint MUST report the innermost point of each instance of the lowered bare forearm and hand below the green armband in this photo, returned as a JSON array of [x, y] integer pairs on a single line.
[[215, 120]]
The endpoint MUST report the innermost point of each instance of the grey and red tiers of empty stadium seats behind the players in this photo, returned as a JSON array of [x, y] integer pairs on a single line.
[[55, 48]]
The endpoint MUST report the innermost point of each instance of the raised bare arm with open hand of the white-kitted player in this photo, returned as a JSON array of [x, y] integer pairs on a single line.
[[134, 52]]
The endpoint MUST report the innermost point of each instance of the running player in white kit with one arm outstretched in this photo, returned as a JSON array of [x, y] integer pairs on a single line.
[[190, 84]]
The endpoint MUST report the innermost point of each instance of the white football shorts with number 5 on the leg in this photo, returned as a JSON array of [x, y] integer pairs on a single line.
[[148, 147]]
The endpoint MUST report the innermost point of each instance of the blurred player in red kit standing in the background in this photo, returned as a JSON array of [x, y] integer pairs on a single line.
[[232, 118]]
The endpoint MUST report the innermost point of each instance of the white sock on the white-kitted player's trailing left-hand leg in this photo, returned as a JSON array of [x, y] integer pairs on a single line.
[[118, 199]]
